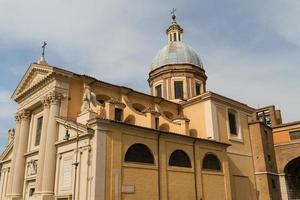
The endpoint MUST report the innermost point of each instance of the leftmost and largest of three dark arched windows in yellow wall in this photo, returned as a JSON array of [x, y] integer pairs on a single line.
[[139, 153]]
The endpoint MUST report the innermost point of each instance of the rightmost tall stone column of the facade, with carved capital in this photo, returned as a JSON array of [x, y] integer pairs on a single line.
[[50, 149]]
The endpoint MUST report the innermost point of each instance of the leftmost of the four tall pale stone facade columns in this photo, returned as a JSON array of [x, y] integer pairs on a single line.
[[14, 154]]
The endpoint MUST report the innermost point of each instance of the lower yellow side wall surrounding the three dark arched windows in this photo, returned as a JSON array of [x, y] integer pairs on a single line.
[[175, 182]]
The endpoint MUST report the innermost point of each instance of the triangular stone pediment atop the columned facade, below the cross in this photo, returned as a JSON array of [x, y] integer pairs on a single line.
[[34, 75]]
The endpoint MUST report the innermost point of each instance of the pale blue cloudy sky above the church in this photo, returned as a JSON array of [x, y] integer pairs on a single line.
[[250, 49]]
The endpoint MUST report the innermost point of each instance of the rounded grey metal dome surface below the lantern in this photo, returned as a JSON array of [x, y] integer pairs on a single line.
[[176, 53]]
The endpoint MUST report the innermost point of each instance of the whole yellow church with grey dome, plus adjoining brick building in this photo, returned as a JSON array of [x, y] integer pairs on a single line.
[[77, 137]]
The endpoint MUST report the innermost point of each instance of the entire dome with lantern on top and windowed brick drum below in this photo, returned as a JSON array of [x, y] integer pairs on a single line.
[[176, 71]]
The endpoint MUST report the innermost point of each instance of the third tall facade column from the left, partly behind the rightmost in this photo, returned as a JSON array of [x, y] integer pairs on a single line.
[[42, 148]]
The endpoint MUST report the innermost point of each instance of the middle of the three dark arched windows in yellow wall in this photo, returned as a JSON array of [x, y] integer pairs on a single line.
[[179, 159]]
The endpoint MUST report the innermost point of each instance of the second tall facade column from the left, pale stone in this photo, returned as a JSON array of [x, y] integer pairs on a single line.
[[19, 169]]
